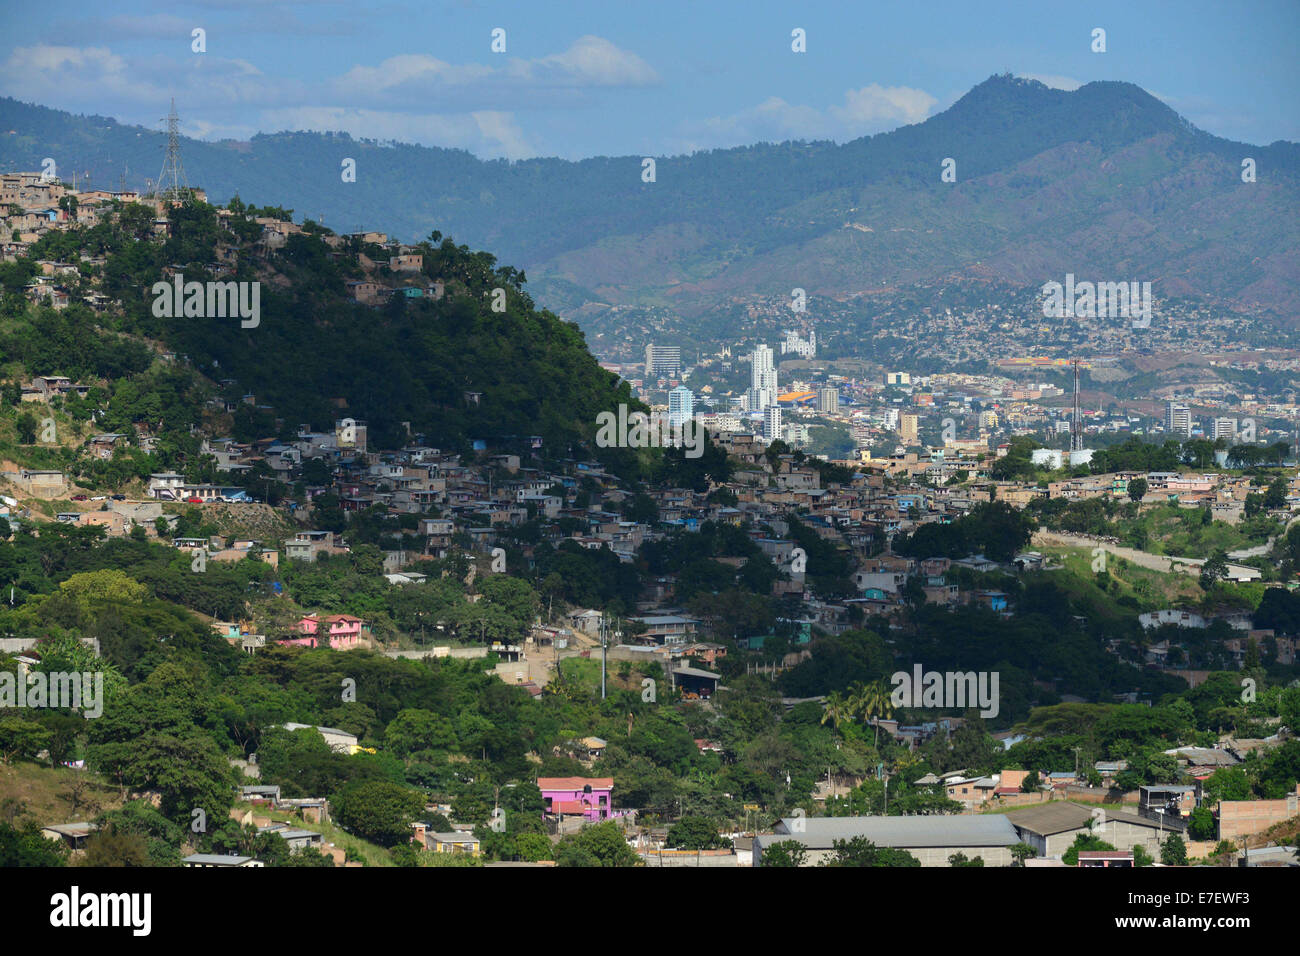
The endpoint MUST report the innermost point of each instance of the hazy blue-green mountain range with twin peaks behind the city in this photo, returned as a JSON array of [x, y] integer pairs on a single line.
[[1106, 183]]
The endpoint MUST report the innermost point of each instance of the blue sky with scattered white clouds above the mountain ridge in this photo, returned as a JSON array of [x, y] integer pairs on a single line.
[[623, 77]]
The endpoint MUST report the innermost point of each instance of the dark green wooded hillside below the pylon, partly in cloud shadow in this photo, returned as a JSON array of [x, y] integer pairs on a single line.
[[457, 351]]
